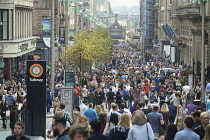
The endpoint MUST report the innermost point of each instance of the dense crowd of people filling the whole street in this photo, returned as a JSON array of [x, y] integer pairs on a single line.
[[131, 99]]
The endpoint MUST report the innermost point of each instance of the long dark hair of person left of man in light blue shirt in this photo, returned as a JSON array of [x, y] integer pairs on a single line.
[[171, 132]]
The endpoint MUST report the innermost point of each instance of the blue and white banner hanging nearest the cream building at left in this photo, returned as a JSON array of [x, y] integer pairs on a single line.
[[46, 28]]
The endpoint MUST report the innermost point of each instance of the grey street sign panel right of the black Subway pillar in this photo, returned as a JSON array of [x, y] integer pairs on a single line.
[[67, 97]]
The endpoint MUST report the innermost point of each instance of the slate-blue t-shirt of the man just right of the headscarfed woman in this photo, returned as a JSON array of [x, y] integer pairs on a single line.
[[154, 119]]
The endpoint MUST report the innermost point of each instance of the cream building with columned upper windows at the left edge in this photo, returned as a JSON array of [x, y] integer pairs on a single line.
[[16, 39]]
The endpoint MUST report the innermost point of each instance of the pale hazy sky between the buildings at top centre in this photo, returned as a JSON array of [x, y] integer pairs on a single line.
[[119, 3]]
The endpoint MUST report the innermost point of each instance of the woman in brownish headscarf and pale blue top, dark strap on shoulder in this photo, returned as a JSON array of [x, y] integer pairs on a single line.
[[140, 128]]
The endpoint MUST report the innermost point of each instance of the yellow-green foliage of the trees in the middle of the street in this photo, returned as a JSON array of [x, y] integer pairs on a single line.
[[89, 47]]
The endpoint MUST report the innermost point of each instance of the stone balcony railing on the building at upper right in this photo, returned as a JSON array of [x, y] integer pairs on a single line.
[[190, 10]]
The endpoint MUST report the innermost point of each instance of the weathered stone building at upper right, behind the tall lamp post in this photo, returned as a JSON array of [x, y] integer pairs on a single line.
[[186, 21]]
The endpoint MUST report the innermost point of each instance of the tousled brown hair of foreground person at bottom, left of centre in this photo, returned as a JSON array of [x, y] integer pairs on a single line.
[[79, 128]]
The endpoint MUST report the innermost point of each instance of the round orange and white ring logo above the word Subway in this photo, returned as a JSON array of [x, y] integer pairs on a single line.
[[36, 70]]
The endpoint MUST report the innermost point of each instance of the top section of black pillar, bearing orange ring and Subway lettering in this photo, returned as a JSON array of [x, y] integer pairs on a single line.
[[36, 73]]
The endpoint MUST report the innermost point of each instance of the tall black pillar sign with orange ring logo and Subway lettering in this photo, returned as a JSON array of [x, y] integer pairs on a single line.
[[36, 97]]
